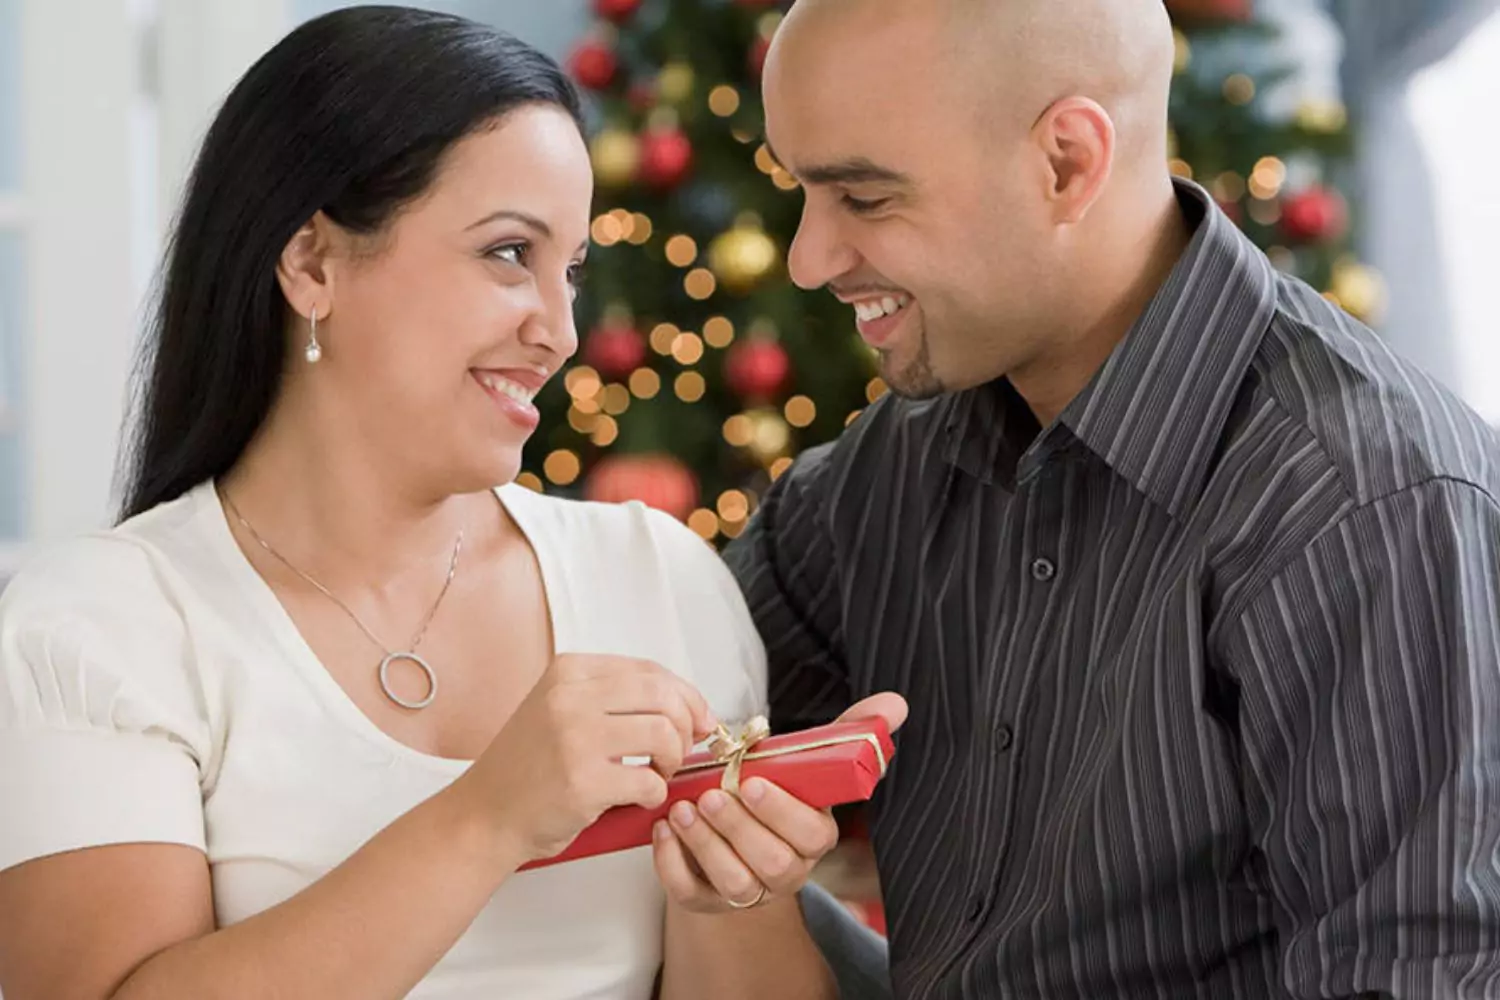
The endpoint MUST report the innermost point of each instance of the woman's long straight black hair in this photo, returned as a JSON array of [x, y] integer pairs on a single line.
[[349, 115]]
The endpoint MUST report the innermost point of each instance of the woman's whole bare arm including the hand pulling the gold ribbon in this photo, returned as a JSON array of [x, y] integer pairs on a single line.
[[136, 923]]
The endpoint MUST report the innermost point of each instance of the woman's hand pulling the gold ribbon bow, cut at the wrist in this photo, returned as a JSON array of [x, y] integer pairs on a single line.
[[557, 764]]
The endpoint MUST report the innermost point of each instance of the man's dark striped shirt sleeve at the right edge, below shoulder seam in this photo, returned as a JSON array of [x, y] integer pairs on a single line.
[[1370, 716]]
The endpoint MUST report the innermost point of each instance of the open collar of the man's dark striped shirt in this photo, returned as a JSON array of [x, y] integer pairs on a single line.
[[1154, 413]]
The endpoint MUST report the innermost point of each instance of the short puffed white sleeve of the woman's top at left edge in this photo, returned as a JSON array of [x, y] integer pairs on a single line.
[[97, 741]]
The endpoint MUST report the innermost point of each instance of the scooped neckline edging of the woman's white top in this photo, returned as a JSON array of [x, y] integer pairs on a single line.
[[274, 615]]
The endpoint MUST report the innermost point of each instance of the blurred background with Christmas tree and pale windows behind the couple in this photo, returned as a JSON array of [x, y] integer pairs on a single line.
[[1357, 142]]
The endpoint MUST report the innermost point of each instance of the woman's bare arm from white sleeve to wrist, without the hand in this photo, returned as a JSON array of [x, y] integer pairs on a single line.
[[136, 921]]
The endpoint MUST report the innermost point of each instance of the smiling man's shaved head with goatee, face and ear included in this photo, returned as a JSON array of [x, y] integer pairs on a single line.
[[1024, 137]]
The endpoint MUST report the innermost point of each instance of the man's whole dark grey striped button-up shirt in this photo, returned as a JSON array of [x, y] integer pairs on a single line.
[[1205, 677]]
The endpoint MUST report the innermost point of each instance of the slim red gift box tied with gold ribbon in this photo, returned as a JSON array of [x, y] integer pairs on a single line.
[[823, 767]]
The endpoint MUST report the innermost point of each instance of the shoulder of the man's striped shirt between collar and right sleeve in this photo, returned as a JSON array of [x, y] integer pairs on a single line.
[[1379, 422]]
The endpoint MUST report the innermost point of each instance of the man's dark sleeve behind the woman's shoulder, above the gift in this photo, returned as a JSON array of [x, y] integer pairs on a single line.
[[787, 567]]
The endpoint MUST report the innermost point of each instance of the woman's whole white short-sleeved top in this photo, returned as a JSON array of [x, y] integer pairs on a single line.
[[154, 690]]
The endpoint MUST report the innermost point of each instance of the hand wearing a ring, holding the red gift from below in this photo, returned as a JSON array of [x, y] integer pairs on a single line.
[[734, 854]]
